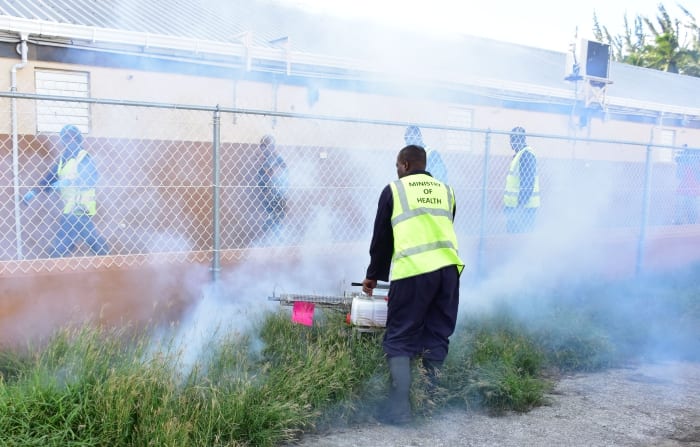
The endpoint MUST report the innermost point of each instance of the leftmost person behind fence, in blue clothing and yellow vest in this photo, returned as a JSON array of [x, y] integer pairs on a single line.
[[74, 176]]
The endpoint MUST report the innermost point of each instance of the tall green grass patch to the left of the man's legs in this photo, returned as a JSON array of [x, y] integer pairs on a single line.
[[101, 387]]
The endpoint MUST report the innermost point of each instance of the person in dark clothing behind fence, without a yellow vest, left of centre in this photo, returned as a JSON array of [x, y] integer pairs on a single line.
[[273, 183]]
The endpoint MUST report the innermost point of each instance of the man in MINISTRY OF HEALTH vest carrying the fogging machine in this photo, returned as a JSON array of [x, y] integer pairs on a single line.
[[414, 236]]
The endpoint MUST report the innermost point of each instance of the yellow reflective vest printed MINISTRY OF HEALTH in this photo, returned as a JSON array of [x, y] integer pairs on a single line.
[[424, 236]]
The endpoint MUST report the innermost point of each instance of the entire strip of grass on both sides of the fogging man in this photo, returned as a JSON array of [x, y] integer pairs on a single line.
[[123, 387]]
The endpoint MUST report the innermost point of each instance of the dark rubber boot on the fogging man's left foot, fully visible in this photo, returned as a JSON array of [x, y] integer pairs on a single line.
[[397, 409]]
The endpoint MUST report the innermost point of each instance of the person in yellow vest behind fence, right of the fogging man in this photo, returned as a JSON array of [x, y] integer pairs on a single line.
[[521, 199]]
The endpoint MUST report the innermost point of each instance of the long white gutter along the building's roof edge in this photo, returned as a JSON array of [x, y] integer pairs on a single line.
[[247, 52]]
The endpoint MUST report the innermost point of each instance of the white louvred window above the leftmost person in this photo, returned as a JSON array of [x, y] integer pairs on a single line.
[[53, 115]]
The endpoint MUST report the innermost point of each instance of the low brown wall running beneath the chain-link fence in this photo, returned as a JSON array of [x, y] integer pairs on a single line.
[[33, 306]]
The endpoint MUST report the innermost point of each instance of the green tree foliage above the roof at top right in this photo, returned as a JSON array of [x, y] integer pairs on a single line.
[[662, 43]]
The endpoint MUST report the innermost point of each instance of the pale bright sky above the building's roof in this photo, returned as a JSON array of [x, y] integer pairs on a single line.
[[549, 24]]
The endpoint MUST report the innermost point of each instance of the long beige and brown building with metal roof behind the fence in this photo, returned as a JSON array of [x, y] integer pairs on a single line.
[[167, 93]]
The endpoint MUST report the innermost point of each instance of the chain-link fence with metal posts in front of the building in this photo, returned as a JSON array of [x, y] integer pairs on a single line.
[[195, 183]]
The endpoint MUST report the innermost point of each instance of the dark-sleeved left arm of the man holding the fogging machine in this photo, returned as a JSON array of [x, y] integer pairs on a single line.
[[381, 249]]
